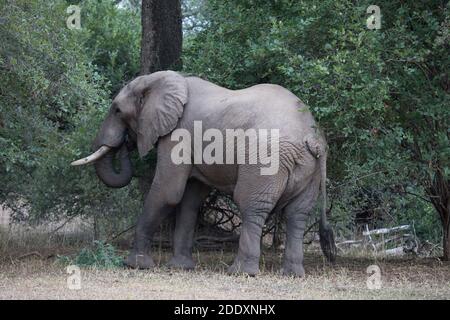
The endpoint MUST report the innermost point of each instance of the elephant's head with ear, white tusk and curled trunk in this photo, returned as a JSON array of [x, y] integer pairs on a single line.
[[144, 110]]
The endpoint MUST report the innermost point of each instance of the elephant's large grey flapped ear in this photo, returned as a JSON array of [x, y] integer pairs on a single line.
[[163, 95]]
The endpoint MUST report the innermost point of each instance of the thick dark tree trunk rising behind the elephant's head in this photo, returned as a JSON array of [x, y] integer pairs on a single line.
[[162, 36]]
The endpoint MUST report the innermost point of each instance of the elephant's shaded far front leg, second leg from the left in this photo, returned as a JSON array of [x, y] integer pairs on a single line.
[[187, 212]]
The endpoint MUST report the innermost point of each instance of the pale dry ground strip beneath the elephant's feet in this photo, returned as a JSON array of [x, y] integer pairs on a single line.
[[34, 277]]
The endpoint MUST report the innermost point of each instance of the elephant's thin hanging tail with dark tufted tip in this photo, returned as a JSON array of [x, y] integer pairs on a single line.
[[327, 243]]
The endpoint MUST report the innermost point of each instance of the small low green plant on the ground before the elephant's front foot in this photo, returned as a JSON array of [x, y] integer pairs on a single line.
[[101, 256]]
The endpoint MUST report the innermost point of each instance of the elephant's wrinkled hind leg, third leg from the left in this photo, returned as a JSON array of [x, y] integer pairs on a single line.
[[256, 197]]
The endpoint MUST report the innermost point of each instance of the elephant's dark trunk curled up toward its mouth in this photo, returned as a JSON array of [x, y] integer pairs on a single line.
[[105, 170]]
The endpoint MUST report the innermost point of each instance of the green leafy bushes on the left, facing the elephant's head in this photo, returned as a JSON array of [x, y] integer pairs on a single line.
[[51, 104]]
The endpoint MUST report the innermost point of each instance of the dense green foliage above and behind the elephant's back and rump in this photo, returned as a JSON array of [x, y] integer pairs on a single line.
[[382, 96]]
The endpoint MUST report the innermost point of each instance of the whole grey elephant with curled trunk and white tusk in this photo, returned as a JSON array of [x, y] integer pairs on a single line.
[[150, 108]]
